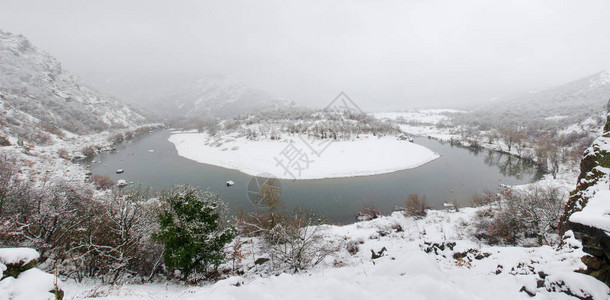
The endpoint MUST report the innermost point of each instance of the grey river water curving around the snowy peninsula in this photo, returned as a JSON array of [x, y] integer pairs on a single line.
[[457, 175]]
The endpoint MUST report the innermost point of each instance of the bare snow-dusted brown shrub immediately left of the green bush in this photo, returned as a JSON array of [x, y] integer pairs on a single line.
[[117, 239]]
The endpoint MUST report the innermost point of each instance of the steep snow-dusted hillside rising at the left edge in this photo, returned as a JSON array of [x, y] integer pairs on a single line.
[[38, 98]]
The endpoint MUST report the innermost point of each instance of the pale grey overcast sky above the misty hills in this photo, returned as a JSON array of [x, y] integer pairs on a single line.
[[384, 54]]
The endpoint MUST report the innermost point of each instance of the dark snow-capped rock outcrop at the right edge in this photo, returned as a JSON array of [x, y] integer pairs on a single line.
[[594, 177]]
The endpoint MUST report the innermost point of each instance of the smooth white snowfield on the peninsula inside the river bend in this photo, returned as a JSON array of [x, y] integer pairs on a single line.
[[366, 155]]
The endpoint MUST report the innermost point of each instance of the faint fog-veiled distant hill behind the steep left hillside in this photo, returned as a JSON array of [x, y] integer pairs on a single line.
[[181, 96]]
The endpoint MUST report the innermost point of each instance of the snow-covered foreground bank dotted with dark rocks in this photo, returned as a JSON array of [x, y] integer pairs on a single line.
[[431, 258]]
